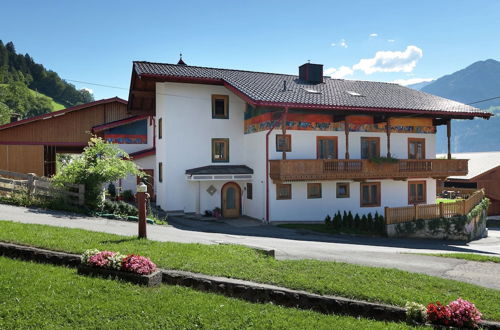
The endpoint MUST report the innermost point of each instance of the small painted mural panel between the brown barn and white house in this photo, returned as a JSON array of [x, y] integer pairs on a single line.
[[133, 133]]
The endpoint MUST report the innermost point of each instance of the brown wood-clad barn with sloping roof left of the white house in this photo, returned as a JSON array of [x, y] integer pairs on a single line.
[[31, 145]]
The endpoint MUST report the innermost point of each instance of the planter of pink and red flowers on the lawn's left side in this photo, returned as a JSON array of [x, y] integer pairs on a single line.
[[132, 268]]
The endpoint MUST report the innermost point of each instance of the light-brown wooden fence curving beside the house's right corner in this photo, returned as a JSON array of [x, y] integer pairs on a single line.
[[395, 215]]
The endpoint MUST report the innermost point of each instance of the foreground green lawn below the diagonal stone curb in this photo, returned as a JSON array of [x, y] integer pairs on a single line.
[[34, 296]]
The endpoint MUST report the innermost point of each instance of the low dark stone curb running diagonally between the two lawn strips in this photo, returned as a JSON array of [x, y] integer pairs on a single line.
[[246, 290]]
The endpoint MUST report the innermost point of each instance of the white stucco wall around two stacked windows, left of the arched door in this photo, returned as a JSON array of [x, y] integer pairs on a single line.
[[188, 130]]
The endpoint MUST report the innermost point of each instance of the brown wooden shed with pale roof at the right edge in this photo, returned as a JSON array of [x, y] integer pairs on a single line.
[[484, 172]]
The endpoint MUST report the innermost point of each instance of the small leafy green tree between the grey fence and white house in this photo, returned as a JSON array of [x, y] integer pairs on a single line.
[[100, 163]]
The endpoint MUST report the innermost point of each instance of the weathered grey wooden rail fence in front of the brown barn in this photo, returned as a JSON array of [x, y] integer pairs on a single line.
[[13, 182]]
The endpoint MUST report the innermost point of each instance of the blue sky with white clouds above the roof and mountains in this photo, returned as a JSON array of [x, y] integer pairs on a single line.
[[96, 41]]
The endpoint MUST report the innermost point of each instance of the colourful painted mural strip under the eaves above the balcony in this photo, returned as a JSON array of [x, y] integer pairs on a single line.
[[258, 119]]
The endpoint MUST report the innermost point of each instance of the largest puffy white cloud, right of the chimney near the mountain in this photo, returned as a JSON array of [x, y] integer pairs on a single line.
[[391, 61]]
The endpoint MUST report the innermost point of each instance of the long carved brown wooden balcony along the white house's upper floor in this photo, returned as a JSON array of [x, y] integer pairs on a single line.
[[363, 169]]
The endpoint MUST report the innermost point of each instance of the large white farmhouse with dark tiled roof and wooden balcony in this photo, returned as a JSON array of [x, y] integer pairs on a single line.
[[281, 147]]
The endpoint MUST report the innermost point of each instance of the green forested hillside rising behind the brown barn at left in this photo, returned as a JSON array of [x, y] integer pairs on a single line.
[[28, 89]]
